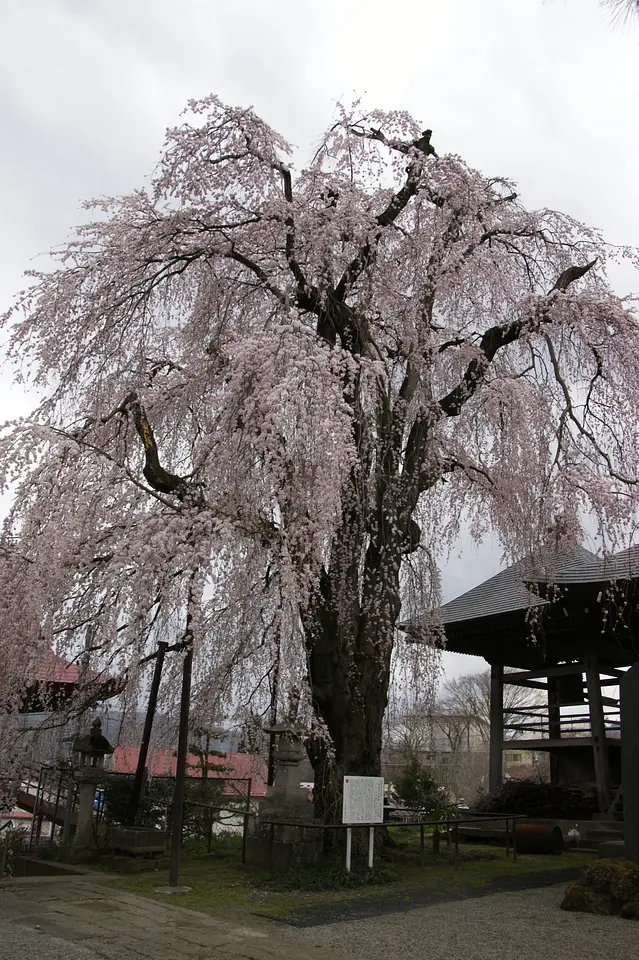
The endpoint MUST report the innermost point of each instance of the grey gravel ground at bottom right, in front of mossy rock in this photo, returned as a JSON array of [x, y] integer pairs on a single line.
[[526, 925]]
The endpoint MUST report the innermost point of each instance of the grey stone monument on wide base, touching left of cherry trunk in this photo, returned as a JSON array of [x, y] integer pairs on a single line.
[[276, 845]]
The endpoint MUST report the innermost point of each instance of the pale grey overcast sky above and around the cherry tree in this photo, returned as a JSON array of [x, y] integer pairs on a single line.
[[546, 93]]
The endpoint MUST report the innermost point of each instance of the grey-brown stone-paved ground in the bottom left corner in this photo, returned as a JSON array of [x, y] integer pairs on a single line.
[[81, 918]]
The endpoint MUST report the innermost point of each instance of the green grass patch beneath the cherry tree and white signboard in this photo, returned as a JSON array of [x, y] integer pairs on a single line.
[[222, 884]]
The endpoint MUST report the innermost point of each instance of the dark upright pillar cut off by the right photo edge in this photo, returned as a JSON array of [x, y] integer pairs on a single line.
[[630, 760]]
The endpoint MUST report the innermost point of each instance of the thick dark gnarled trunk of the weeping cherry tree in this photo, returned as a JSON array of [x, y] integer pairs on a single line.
[[350, 626]]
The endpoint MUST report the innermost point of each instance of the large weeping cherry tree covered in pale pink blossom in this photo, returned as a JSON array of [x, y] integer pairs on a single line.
[[268, 396]]
